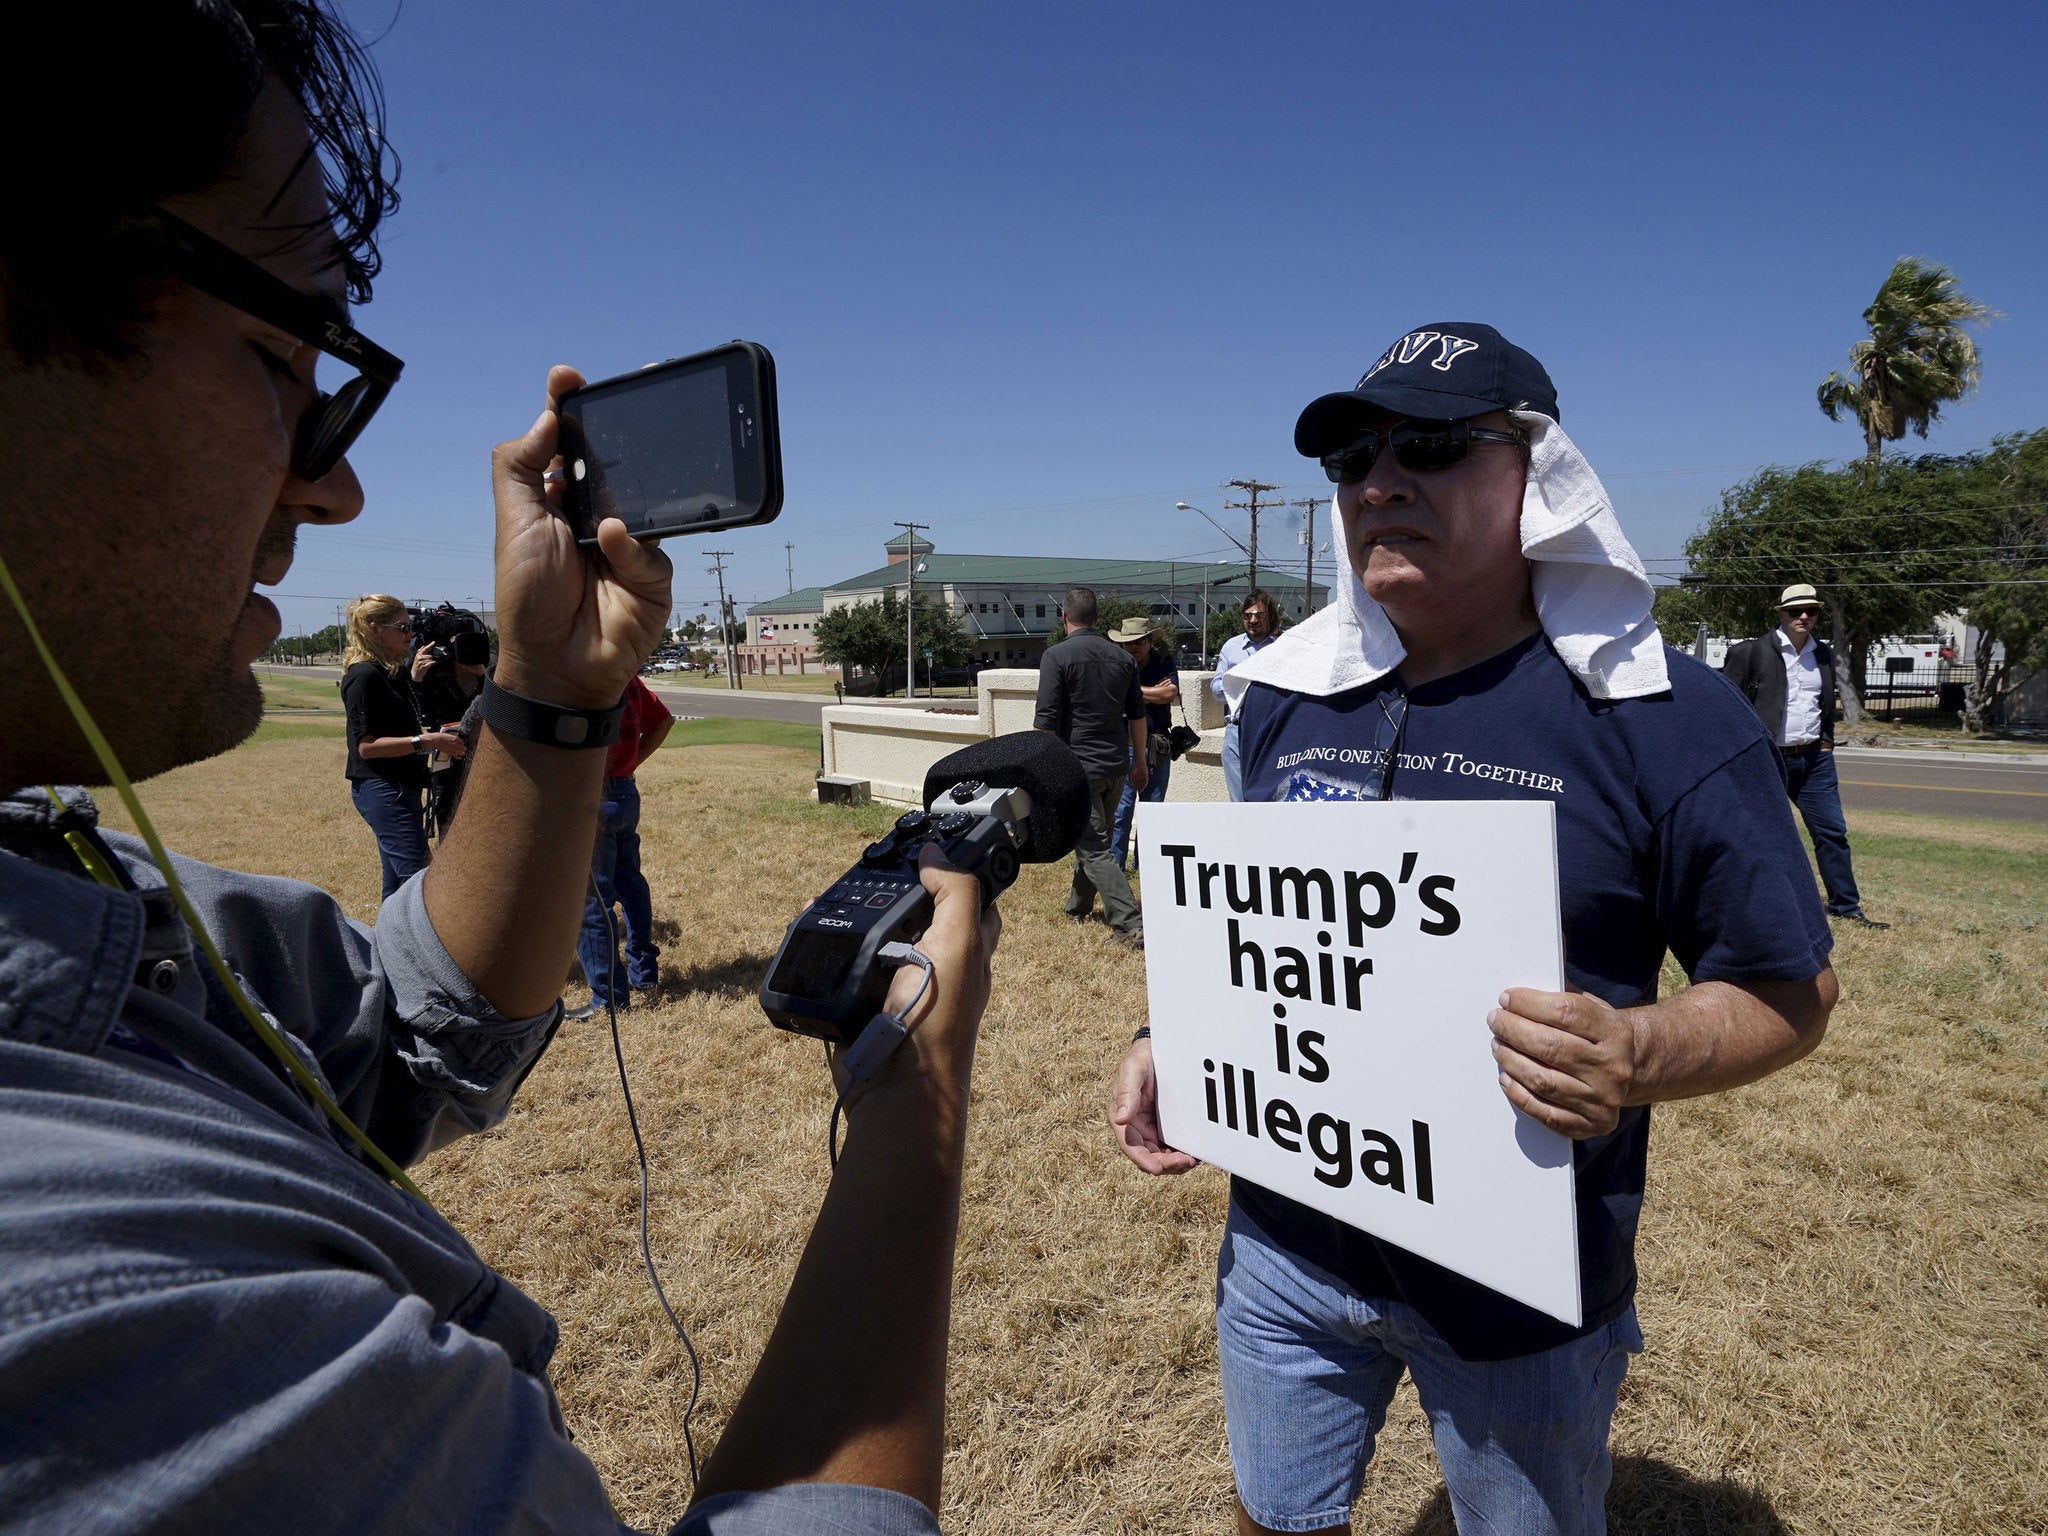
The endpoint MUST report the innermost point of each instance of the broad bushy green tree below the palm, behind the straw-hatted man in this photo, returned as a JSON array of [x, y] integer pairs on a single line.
[[1889, 544]]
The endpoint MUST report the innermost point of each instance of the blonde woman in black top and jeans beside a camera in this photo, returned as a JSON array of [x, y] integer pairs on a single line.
[[386, 740]]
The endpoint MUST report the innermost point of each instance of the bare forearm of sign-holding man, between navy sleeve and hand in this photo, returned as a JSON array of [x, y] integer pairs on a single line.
[[1717, 1035]]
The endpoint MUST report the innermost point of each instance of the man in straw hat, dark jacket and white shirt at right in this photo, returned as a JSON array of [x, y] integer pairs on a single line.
[[1789, 677]]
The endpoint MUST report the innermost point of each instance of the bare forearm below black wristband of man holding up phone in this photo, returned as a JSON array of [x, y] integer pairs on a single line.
[[507, 888]]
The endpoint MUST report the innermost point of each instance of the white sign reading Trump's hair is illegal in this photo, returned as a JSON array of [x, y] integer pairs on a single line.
[[1320, 984]]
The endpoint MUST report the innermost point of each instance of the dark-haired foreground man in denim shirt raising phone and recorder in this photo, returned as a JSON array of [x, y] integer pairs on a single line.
[[216, 1316]]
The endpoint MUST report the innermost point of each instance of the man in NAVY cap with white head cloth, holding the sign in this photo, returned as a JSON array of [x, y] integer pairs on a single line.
[[1492, 642]]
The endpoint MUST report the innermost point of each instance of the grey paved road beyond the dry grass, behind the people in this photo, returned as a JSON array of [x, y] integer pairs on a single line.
[[1873, 779]]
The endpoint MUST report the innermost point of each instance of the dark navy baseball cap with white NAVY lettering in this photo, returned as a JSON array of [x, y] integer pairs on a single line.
[[1435, 374]]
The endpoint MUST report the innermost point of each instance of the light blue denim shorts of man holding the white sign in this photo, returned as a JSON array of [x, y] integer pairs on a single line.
[[1310, 1369]]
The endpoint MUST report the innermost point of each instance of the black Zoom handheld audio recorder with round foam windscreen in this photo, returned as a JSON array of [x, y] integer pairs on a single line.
[[1017, 800]]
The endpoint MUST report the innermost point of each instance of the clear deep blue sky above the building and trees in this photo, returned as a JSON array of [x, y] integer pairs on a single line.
[[1037, 271]]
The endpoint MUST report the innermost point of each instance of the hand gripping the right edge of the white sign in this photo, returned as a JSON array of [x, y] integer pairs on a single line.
[[1566, 1060]]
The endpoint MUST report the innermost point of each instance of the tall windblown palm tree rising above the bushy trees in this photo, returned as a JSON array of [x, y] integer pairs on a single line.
[[1916, 359]]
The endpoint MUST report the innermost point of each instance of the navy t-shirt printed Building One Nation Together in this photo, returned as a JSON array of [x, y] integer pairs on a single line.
[[1672, 833]]
